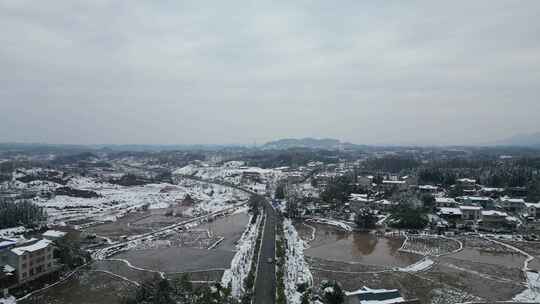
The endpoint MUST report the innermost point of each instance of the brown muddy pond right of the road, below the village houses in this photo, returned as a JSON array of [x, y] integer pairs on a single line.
[[358, 247]]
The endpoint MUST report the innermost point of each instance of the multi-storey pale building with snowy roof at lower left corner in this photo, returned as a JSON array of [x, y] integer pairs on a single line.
[[23, 260]]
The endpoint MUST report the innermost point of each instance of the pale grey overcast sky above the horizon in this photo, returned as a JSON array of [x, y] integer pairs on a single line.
[[174, 72]]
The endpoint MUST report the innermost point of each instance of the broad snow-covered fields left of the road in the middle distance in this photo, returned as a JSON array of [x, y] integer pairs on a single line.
[[115, 200]]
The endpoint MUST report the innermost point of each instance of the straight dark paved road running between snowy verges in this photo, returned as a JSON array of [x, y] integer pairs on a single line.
[[265, 286]]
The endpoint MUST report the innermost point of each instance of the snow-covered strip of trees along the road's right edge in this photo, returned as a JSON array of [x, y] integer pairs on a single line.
[[296, 268]]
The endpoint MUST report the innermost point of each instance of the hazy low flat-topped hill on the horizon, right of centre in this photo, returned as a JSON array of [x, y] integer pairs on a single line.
[[310, 143]]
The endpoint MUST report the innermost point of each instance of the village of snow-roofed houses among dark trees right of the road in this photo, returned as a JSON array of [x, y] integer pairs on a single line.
[[479, 208]]
